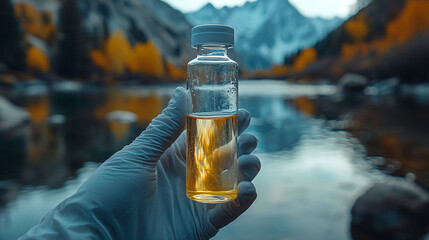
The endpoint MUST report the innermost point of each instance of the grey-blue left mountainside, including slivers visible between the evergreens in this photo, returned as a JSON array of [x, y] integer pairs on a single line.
[[138, 20]]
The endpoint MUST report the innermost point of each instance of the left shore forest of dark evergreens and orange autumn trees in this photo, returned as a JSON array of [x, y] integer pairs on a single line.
[[34, 46]]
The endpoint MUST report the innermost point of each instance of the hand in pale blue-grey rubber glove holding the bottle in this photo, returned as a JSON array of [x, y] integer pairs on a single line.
[[139, 192]]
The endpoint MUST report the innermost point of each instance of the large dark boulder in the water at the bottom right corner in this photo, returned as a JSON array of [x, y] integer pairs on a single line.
[[395, 210]]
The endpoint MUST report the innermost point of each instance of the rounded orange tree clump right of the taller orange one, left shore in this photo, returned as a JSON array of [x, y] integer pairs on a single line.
[[146, 59]]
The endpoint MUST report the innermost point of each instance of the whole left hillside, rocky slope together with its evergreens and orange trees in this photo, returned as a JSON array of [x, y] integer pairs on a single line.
[[87, 38]]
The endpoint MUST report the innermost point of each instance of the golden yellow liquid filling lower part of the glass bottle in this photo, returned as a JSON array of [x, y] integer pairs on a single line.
[[211, 158]]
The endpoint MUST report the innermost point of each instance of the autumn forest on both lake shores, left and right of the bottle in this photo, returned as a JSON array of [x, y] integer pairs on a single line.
[[385, 39]]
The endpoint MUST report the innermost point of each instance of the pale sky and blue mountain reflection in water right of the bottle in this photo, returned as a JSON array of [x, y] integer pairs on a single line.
[[310, 175]]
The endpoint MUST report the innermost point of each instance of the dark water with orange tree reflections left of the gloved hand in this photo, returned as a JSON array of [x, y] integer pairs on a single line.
[[71, 125]]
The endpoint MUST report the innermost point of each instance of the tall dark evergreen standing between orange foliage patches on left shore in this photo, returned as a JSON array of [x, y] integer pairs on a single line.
[[72, 58]]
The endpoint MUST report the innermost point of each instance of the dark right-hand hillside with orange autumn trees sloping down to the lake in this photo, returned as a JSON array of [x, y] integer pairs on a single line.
[[387, 38]]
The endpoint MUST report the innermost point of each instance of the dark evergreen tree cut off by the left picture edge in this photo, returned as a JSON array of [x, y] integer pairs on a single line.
[[11, 38]]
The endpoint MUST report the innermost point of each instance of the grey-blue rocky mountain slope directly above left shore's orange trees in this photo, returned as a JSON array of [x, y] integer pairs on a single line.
[[140, 20]]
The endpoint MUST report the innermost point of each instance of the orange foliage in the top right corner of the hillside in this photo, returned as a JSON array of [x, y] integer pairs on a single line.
[[413, 20]]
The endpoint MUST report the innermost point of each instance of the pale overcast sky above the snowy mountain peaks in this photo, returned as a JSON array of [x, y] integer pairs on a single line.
[[311, 8]]
